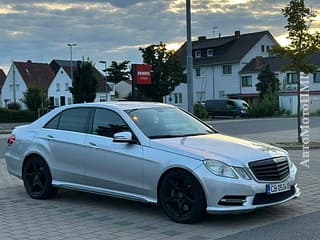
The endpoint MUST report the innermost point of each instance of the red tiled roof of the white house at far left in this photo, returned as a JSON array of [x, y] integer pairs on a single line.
[[35, 74]]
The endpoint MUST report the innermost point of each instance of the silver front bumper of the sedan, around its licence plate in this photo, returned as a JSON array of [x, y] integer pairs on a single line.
[[252, 193]]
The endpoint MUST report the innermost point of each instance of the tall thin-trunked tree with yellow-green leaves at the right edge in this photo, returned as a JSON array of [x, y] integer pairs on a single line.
[[302, 45]]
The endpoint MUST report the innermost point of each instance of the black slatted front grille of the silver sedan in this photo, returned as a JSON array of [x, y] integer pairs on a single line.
[[274, 169]]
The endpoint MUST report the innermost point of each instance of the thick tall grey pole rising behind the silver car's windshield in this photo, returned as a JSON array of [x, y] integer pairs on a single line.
[[189, 57]]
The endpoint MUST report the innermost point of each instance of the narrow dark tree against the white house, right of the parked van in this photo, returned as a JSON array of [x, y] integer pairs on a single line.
[[268, 85]]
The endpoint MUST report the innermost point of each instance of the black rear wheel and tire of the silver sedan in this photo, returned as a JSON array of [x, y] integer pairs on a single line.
[[37, 179]]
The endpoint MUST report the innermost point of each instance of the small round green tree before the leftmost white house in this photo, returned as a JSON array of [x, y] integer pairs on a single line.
[[34, 98]]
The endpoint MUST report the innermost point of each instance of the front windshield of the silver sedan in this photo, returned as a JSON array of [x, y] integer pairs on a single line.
[[166, 122]]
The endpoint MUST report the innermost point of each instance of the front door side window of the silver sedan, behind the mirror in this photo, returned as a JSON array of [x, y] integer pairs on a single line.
[[106, 123]]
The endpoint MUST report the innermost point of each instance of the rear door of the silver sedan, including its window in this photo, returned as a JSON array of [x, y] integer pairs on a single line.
[[63, 137]]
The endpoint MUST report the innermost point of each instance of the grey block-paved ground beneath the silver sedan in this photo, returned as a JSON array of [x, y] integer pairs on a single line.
[[74, 215]]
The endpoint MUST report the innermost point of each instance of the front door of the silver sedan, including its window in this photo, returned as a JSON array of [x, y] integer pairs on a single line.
[[110, 165]]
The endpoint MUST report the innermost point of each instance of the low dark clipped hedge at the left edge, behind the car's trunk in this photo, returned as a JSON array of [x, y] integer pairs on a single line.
[[8, 115]]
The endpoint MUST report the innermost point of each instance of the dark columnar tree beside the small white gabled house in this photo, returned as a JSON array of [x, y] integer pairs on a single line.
[[85, 82]]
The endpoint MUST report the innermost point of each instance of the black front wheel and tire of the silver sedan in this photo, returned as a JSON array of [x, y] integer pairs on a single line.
[[181, 197]]
